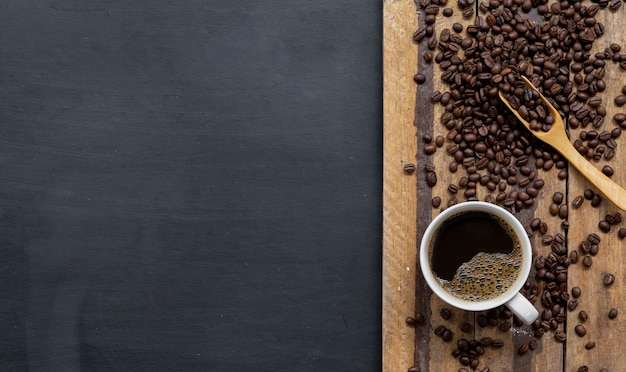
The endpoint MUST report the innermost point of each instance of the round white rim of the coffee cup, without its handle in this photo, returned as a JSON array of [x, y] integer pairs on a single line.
[[517, 227]]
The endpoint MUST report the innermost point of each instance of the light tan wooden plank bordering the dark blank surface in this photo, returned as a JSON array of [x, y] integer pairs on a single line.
[[399, 191]]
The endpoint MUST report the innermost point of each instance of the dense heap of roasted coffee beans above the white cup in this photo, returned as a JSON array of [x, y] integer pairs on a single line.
[[487, 146]]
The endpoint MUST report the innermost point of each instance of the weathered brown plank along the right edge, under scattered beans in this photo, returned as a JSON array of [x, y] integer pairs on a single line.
[[596, 298]]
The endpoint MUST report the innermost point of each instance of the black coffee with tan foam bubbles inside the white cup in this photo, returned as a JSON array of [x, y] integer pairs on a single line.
[[475, 256]]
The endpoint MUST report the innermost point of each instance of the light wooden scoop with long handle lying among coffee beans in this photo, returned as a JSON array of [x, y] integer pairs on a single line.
[[557, 138]]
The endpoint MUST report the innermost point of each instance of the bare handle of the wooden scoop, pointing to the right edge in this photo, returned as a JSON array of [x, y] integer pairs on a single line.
[[604, 184]]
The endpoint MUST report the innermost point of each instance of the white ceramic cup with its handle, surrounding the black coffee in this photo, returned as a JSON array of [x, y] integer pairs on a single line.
[[514, 300]]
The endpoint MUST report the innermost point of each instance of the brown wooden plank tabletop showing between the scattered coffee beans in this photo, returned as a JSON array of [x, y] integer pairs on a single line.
[[407, 210]]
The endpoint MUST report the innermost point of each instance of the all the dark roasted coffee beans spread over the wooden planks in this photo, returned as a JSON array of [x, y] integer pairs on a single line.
[[494, 158]]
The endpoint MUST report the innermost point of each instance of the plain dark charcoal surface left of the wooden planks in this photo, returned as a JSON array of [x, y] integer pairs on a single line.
[[190, 185]]
